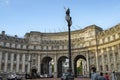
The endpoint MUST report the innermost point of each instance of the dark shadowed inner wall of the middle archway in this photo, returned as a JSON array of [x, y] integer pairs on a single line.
[[60, 68]]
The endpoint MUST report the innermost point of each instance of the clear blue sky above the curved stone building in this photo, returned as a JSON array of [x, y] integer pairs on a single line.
[[18, 17]]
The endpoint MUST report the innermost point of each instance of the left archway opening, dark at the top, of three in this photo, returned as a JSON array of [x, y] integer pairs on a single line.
[[45, 66]]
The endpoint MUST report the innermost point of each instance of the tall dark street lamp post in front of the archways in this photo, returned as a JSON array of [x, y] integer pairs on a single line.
[[69, 21]]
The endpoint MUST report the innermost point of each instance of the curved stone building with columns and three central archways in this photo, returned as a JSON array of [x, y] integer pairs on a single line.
[[45, 53]]
